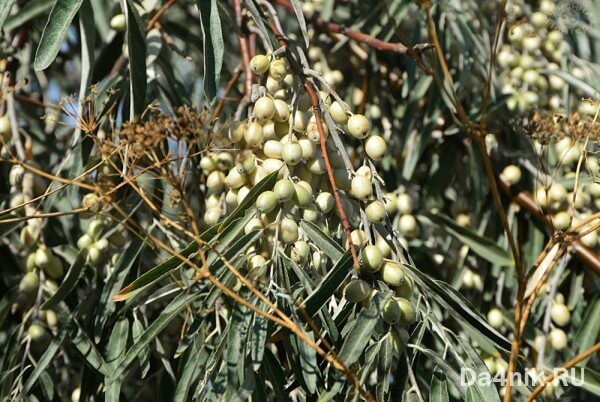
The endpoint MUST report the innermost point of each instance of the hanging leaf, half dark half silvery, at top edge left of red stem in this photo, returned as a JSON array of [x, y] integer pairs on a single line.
[[212, 38]]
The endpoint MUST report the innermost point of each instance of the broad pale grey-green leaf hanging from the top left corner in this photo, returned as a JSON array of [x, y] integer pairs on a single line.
[[59, 21]]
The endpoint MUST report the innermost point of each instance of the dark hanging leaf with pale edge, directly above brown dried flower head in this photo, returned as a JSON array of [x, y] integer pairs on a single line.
[[136, 42]]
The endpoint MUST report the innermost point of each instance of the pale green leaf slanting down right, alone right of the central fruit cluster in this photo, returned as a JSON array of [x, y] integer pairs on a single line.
[[482, 246]]
